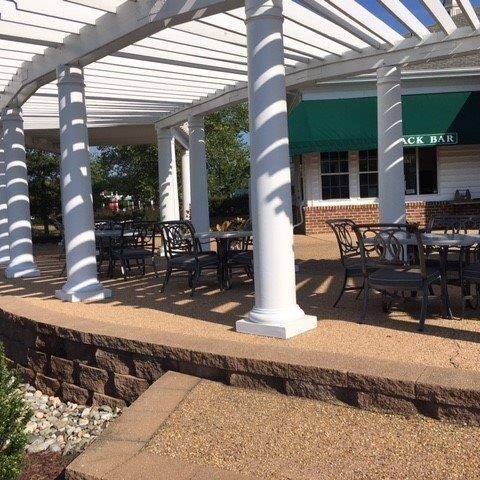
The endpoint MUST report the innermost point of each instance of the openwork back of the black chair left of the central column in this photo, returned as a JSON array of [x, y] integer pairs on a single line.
[[178, 238]]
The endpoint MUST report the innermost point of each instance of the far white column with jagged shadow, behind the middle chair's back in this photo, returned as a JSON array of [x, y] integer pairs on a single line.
[[167, 175]]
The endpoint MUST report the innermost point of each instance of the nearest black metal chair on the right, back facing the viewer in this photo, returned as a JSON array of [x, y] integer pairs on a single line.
[[398, 255]]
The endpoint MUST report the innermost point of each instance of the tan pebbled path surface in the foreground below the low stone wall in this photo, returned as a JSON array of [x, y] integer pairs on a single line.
[[275, 437]]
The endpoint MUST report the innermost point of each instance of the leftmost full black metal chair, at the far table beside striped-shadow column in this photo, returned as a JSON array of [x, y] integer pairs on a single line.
[[136, 244]]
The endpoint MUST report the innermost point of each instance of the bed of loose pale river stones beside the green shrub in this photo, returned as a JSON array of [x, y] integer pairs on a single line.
[[63, 427]]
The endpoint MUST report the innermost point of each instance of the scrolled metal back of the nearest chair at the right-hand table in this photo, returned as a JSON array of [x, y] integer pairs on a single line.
[[391, 245]]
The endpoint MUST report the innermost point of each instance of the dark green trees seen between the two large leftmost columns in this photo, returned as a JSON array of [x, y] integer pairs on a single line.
[[44, 185]]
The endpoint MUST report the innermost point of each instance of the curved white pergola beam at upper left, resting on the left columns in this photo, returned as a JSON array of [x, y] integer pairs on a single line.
[[133, 21]]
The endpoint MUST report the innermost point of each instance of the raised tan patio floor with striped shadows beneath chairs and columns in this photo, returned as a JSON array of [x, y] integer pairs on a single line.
[[211, 314]]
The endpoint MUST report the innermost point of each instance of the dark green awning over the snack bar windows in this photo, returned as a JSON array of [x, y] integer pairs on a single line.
[[351, 124]]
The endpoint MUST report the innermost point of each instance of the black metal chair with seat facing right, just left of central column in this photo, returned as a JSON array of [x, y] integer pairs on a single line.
[[183, 253]]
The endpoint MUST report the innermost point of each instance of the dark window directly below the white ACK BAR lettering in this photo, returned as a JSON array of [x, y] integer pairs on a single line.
[[420, 171]]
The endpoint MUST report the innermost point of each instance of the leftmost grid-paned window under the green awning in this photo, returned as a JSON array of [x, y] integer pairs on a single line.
[[334, 168]]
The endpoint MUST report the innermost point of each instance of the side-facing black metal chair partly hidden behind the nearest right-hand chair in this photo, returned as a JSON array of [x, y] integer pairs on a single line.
[[350, 256]]
